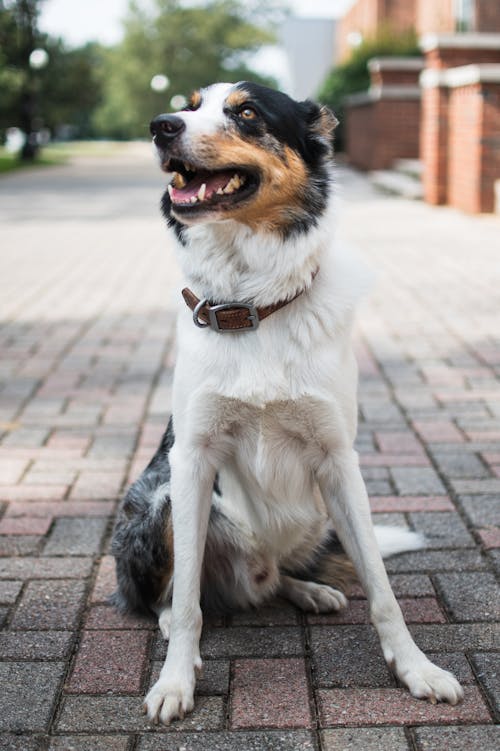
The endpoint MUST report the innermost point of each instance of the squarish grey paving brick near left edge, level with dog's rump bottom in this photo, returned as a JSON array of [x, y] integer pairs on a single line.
[[50, 604]]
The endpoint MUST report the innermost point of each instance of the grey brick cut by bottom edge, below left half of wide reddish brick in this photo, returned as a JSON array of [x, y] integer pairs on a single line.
[[364, 739]]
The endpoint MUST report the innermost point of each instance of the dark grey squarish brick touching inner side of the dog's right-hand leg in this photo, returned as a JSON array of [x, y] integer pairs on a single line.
[[348, 656]]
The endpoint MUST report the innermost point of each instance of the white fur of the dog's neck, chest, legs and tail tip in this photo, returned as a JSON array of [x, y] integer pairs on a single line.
[[274, 413]]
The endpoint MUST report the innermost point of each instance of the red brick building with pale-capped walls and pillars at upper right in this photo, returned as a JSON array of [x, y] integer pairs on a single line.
[[443, 107]]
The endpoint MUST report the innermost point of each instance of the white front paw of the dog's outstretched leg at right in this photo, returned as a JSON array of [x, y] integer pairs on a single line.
[[426, 681]]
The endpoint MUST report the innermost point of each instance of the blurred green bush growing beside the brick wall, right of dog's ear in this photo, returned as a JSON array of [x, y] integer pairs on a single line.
[[352, 76]]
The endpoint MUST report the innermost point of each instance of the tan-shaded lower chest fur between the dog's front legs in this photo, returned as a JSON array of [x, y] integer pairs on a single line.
[[267, 475]]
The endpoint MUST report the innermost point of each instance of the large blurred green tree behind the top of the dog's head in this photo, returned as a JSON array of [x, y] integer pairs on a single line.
[[192, 44]]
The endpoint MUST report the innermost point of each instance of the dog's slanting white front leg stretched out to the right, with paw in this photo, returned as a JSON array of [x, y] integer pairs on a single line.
[[347, 502]]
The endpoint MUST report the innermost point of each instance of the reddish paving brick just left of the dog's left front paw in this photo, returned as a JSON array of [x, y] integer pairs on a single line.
[[111, 662]]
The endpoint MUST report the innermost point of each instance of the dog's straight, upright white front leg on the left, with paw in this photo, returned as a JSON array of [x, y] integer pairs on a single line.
[[191, 492]]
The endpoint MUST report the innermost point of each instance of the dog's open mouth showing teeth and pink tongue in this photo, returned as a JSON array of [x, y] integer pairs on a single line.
[[194, 188]]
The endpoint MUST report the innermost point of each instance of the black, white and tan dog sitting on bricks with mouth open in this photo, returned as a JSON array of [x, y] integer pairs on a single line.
[[255, 489]]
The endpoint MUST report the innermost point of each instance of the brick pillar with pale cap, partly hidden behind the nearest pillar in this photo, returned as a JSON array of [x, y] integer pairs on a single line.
[[443, 52]]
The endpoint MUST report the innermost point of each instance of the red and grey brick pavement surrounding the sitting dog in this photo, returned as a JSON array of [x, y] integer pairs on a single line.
[[86, 296]]
